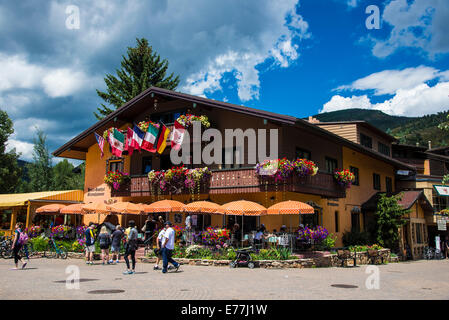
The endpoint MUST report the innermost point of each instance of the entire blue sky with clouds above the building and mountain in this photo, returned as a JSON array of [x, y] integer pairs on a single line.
[[292, 57]]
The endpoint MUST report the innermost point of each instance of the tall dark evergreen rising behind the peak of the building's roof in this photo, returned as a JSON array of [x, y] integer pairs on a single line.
[[141, 69]]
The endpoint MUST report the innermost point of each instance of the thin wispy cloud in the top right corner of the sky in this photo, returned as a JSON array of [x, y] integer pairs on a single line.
[[418, 24]]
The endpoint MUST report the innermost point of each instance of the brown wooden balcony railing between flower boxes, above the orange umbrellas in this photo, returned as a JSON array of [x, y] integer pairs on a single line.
[[246, 181]]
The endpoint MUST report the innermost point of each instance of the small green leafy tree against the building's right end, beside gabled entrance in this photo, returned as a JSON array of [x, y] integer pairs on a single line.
[[389, 218]]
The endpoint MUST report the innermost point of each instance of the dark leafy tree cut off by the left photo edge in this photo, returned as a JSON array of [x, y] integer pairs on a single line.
[[10, 171]]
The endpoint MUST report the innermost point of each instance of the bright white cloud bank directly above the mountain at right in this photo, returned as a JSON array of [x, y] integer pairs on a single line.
[[412, 95]]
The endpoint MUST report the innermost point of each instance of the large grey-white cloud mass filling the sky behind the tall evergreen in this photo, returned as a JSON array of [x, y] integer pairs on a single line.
[[50, 72]]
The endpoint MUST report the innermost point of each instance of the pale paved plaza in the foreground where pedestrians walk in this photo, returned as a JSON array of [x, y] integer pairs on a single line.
[[46, 279]]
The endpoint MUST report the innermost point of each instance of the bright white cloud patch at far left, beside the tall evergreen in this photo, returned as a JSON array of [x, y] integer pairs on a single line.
[[18, 73]]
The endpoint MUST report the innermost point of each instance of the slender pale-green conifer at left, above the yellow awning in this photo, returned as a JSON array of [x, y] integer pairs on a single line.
[[40, 171]]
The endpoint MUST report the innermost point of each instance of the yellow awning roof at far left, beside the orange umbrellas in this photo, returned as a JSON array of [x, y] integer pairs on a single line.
[[20, 199]]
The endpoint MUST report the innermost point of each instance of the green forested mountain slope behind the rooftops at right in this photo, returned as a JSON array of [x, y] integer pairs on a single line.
[[408, 130]]
